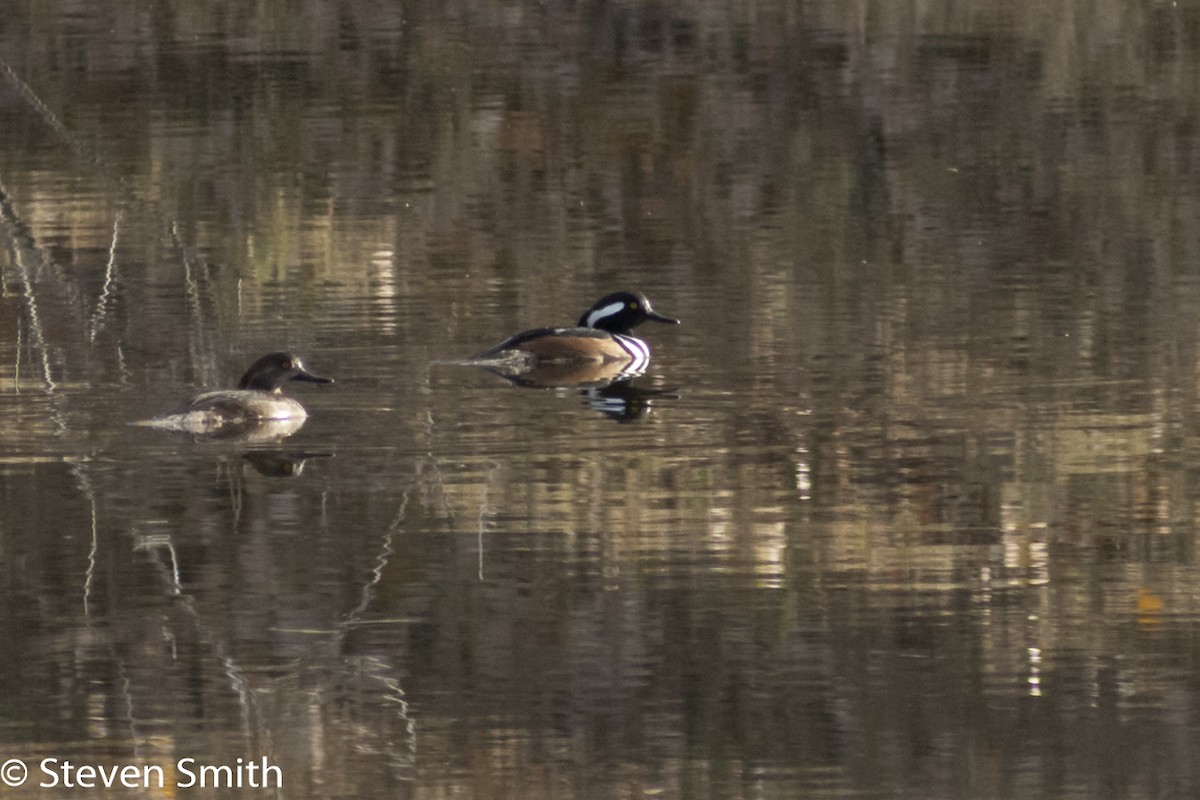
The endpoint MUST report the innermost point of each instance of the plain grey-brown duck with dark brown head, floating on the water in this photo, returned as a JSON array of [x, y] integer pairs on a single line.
[[257, 410]]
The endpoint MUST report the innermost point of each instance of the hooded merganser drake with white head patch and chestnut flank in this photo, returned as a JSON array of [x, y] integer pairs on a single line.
[[604, 336]]
